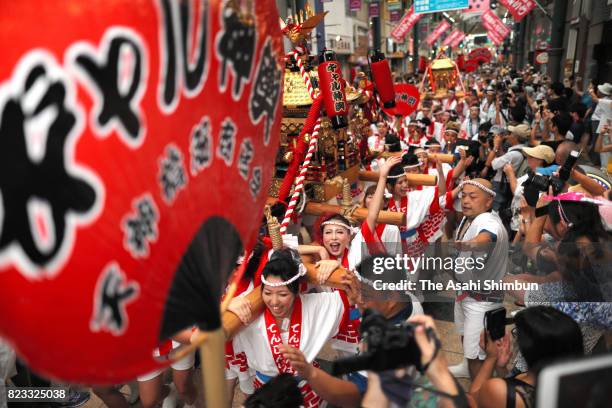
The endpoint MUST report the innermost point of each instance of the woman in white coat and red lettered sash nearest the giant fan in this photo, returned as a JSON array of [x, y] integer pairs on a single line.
[[291, 319]]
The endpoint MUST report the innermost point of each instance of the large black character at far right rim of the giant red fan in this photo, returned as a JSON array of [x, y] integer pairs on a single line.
[[266, 91]]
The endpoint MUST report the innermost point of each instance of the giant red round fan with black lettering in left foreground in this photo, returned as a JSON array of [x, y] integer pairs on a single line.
[[135, 139]]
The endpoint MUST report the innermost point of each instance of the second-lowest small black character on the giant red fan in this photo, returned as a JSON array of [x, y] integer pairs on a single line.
[[141, 227]]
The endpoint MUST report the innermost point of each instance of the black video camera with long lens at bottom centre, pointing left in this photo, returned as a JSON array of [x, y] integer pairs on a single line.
[[388, 346]]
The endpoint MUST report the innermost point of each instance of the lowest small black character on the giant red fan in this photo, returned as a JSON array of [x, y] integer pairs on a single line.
[[111, 297]]
